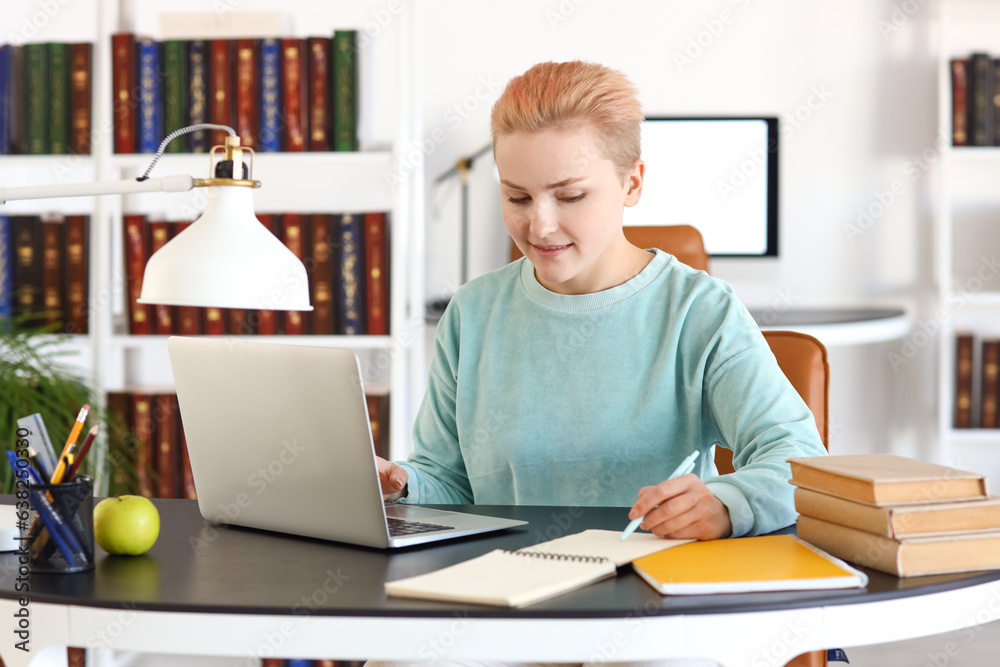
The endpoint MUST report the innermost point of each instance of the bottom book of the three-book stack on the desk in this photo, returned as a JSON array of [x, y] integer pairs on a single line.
[[967, 552]]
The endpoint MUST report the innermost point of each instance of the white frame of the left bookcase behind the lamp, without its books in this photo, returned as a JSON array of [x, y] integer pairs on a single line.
[[308, 182]]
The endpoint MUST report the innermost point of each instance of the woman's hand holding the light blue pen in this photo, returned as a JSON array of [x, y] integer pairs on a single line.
[[682, 508]]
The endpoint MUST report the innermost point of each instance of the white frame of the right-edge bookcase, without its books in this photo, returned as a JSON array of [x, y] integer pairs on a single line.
[[966, 232]]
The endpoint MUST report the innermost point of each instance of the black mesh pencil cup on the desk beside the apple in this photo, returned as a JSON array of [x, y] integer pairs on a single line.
[[60, 537]]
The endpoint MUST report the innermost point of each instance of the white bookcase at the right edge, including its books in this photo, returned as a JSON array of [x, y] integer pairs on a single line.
[[967, 270]]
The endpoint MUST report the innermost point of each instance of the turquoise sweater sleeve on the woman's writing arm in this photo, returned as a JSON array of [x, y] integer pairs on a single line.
[[762, 418]]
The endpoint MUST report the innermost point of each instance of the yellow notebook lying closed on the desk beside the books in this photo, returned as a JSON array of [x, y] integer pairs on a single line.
[[745, 565]]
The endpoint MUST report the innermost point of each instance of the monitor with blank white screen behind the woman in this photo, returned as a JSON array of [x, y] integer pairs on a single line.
[[717, 174]]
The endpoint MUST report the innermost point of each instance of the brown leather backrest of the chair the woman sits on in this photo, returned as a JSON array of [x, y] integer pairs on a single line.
[[803, 360]]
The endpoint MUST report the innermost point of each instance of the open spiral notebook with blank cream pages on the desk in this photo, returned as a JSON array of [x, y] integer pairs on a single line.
[[529, 575]]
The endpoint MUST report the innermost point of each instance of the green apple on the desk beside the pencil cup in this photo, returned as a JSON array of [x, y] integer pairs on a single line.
[[126, 525]]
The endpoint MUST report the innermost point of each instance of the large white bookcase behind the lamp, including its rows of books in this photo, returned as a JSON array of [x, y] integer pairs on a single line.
[[327, 108]]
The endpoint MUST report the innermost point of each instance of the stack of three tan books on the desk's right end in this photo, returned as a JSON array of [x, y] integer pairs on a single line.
[[897, 515]]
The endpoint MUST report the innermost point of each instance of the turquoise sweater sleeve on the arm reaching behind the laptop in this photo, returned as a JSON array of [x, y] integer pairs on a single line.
[[436, 468]]
